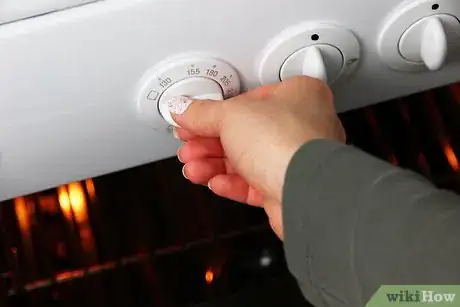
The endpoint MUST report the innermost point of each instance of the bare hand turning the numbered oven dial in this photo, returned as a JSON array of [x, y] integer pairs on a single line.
[[241, 147]]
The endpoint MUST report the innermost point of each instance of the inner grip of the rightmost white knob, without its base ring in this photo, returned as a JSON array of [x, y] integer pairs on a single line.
[[428, 41]]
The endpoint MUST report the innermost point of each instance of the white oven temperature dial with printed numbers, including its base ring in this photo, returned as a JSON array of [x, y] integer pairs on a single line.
[[196, 76]]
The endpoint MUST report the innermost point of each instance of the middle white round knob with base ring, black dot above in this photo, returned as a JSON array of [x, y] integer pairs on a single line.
[[324, 51]]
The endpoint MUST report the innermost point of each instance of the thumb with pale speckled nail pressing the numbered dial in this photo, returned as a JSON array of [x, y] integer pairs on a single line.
[[201, 117]]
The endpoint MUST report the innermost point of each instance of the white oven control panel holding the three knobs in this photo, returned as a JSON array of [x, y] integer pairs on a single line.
[[81, 86]]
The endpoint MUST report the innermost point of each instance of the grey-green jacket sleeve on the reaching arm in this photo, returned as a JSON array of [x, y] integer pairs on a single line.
[[353, 223]]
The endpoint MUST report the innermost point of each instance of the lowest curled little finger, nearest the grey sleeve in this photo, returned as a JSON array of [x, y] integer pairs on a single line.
[[235, 188]]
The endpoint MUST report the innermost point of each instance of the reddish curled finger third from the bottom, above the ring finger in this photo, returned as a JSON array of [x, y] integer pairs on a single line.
[[200, 148]]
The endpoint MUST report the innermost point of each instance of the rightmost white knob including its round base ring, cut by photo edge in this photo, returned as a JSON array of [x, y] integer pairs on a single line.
[[421, 35]]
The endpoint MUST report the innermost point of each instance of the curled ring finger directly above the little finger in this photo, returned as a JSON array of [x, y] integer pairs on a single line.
[[201, 171]]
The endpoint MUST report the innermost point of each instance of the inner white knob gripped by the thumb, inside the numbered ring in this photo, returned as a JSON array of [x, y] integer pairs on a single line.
[[195, 88]]
